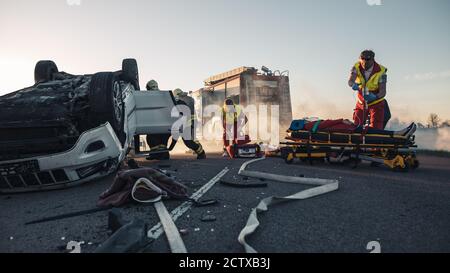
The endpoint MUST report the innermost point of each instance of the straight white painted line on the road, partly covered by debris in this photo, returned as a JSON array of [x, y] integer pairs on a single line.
[[157, 230]]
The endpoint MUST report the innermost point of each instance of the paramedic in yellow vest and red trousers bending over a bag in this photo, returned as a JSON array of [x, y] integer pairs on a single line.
[[233, 121]]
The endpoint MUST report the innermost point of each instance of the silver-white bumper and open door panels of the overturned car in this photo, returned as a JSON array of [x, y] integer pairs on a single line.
[[98, 151]]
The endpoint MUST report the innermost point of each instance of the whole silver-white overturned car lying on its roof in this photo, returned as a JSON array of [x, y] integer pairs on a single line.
[[69, 129]]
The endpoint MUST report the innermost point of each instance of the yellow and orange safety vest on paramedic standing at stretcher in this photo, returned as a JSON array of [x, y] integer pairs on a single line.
[[372, 85]]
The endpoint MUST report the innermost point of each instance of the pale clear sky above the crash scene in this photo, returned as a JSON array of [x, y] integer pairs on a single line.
[[182, 42]]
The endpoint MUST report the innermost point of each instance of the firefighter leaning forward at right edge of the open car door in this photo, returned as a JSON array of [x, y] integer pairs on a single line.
[[183, 99]]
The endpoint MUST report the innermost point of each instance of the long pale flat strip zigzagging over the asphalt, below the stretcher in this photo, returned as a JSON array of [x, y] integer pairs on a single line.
[[323, 186]]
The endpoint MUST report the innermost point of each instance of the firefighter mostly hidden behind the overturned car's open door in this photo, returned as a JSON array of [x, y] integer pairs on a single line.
[[158, 142]]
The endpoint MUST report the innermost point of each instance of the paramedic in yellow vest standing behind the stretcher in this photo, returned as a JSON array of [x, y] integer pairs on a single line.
[[369, 79]]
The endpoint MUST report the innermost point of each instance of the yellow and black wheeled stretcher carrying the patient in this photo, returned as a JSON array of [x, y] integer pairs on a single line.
[[388, 149]]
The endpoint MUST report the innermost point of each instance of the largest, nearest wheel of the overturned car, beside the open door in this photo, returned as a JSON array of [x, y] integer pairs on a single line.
[[106, 102]]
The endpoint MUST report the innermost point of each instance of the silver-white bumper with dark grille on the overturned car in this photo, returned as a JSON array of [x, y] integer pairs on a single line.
[[97, 153]]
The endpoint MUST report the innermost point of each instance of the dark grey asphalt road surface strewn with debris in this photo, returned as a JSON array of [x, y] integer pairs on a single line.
[[404, 212]]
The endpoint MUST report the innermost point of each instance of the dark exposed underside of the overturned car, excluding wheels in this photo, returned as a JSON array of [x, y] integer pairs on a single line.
[[45, 118]]
